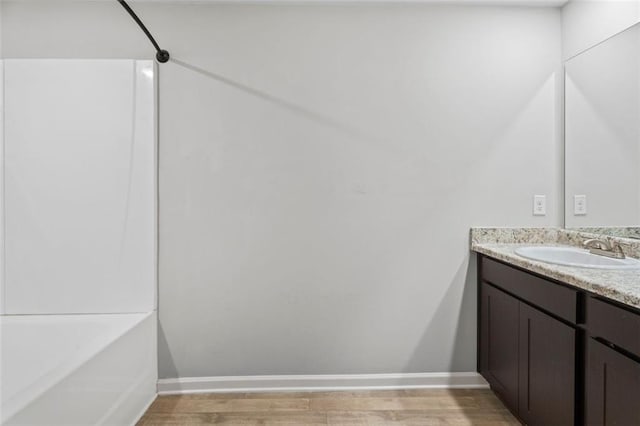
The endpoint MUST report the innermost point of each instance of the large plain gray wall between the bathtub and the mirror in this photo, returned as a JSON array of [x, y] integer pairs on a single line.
[[320, 167]]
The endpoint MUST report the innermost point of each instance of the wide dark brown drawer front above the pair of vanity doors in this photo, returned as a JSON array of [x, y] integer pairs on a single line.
[[557, 299]]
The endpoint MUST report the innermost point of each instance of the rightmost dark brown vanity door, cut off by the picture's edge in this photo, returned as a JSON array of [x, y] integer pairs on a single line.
[[613, 387]]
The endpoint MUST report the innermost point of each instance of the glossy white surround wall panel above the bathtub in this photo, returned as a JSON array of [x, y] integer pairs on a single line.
[[79, 168]]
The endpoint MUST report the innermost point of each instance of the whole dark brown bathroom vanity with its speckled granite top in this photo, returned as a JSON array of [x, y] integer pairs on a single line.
[[559, 345]]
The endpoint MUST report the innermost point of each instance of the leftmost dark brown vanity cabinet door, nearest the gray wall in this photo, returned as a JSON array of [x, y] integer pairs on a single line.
[[499, 343]]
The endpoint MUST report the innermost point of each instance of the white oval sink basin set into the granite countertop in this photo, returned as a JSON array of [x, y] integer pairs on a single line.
[[573, 256]]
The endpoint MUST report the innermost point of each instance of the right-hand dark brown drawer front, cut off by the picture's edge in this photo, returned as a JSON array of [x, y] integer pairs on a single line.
[[614, 324]]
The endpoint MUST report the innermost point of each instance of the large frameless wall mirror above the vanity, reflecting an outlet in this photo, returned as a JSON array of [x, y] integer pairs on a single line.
[[602, 137]]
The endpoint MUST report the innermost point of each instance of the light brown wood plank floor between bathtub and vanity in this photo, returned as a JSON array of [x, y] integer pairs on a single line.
[[450, 407]]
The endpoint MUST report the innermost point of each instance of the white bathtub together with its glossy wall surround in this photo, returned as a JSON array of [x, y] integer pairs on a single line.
[[78, 330]]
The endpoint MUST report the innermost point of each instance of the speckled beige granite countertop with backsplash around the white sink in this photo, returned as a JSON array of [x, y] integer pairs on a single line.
[[620, 285]]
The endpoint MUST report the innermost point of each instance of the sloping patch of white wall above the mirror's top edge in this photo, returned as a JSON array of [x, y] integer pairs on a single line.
[[586, 23]]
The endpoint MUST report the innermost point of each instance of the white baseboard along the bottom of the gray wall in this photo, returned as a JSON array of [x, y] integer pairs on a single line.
[[470, 380]]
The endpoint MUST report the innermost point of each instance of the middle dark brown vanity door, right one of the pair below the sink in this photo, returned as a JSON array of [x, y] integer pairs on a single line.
[[547, 369]]
